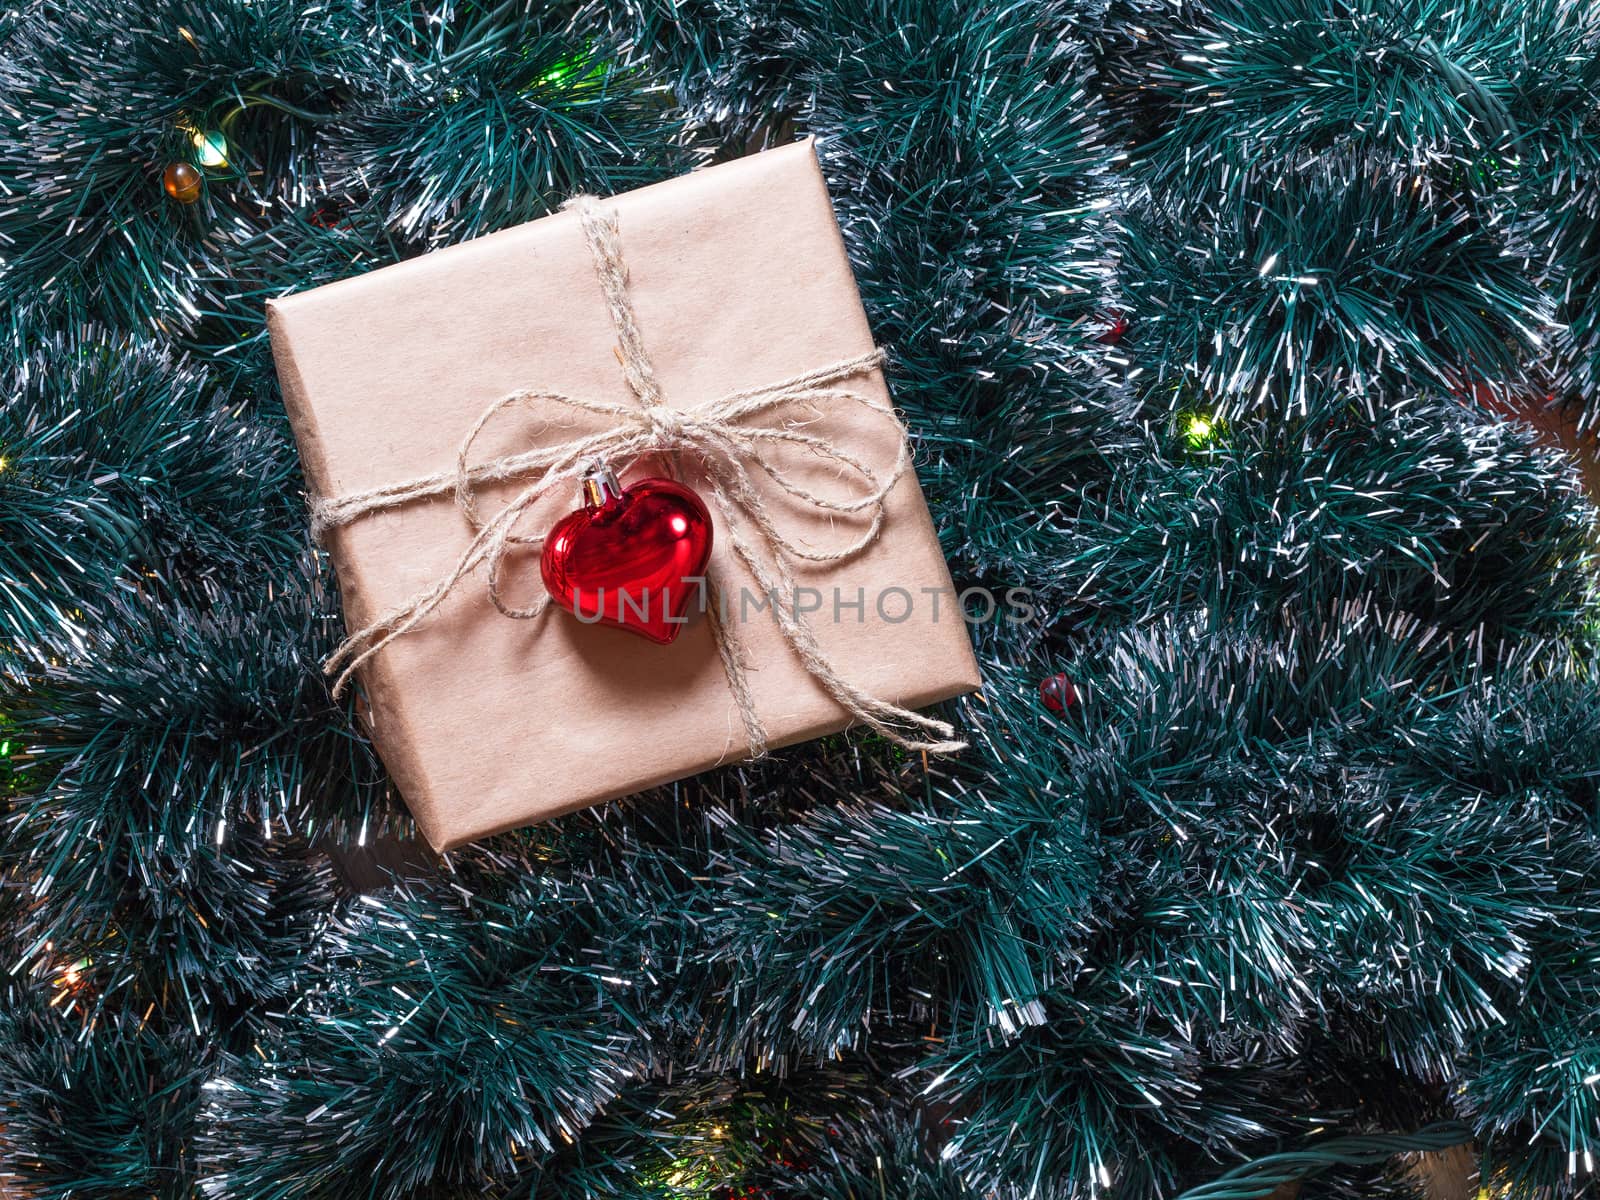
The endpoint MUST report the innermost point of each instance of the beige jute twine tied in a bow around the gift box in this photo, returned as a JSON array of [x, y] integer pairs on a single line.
[[722, 447]]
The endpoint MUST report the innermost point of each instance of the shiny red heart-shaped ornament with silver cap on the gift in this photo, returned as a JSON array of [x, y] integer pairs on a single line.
[[631, 558]]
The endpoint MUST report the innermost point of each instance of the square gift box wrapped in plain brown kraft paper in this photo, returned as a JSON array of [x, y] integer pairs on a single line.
[[735, 279]]
